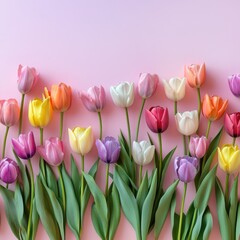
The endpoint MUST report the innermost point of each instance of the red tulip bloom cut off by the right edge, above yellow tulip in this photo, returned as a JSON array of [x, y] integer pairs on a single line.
[[232, 124]]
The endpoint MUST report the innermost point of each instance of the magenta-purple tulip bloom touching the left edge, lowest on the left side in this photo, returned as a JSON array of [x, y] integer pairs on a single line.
[[8, 170]]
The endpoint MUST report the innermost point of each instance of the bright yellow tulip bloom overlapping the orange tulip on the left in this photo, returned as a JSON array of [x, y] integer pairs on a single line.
[[40, 112]]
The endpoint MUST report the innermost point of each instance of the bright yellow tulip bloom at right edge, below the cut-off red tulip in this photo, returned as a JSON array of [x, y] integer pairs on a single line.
[[229, 158]]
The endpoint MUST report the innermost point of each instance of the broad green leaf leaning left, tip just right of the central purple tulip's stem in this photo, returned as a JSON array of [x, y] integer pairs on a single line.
[[128, 202]]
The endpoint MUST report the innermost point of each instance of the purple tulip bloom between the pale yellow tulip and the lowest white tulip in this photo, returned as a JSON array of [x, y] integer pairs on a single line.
[[108, 149]]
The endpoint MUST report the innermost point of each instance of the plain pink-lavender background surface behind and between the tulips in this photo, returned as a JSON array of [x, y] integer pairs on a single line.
[[86, 43]]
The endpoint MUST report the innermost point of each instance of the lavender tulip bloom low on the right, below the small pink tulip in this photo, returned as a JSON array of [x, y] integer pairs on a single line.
[[186, 168]]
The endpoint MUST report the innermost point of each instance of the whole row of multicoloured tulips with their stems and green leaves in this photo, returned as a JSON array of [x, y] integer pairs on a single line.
[[61, 200]]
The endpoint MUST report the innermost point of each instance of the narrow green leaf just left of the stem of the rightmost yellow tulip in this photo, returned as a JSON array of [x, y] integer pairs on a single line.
[[223, 219]]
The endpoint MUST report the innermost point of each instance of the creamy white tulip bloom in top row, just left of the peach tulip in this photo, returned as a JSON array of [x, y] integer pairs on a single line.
[[175, 88]]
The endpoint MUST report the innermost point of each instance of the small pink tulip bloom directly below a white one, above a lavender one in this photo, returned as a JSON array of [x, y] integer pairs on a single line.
[[198, 146]]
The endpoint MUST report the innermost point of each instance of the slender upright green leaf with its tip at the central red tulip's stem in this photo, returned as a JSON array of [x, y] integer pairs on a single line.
[[148, 207]]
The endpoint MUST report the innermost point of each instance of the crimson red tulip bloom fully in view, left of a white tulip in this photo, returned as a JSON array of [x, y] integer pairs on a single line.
[[157, 119]]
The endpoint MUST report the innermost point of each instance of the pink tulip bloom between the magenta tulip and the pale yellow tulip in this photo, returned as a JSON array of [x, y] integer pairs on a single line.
[[52, 151]]
